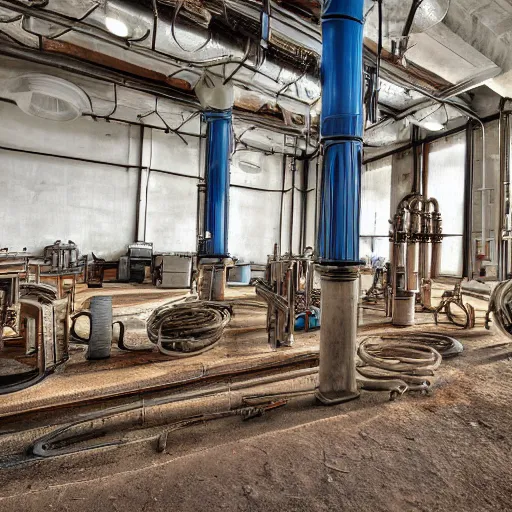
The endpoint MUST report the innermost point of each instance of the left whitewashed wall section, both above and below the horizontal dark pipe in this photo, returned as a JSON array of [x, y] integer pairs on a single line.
[[45, 198]]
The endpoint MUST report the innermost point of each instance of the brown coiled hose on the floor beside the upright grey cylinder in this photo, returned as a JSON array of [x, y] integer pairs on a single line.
[[188, 329]]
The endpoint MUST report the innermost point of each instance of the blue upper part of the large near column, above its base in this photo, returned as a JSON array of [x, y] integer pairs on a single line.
[[341, 130]]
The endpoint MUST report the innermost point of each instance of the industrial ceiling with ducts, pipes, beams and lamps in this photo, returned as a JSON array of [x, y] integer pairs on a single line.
[[436, 59]]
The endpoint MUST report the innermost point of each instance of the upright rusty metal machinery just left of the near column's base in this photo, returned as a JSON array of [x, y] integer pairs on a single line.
[[292, 300]]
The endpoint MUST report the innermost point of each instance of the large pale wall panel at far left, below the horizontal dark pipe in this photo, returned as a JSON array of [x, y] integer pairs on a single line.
[[45, 199]]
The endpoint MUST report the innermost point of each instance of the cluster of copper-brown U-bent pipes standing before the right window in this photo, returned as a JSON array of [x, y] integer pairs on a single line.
[[416, 238]]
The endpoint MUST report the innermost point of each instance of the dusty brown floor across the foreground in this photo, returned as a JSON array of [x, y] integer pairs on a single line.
[[448, 451]]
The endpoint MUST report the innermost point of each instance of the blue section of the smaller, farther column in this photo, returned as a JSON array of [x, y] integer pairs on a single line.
[[218, 150]]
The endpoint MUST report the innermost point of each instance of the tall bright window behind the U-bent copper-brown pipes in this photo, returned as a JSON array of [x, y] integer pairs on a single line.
[[446, 175]]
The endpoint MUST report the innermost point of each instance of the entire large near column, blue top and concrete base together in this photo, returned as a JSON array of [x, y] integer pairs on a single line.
[[338, 233]]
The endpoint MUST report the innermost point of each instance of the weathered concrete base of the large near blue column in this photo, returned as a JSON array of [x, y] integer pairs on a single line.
[[337, 371]]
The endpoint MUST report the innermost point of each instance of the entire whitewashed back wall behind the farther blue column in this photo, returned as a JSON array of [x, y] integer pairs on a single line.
[[95, 205]]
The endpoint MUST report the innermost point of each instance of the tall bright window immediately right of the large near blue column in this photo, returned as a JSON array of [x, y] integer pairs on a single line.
[[375, 204]]
